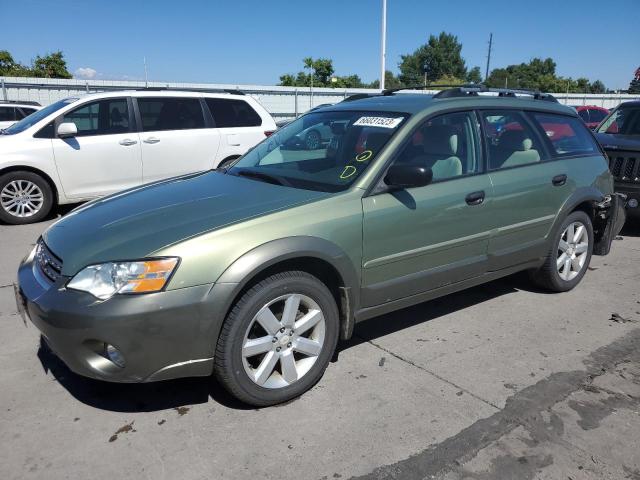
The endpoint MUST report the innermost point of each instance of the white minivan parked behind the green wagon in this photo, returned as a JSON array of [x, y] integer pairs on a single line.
[[82, 148]]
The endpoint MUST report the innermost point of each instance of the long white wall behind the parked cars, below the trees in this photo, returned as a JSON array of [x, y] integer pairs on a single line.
[[281, 102]]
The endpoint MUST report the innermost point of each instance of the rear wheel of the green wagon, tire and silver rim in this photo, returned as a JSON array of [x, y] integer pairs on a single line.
[[569, 256]]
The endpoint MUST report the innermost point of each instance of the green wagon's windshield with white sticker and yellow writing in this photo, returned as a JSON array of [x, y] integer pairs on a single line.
[[324, 151]]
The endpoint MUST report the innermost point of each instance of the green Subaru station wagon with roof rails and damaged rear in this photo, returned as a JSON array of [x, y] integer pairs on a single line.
[[254, 272]]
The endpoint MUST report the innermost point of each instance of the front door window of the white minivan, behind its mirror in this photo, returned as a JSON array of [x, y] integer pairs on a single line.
[[104, 117]]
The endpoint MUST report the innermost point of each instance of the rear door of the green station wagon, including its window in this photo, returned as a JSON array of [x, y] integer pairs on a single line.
[[528, 189]]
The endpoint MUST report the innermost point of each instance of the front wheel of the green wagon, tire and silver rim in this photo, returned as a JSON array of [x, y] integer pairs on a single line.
[[278, 339]]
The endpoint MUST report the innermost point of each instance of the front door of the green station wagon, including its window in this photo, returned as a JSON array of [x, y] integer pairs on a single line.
[[422, 238]]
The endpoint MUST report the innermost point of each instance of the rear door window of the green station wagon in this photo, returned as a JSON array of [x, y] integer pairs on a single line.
[[510, 140]]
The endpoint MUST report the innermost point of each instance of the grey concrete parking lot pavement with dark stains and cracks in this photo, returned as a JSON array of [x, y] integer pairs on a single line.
[[499, 382]]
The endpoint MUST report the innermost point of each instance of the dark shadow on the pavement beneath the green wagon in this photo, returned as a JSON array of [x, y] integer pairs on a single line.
[[150, 397]]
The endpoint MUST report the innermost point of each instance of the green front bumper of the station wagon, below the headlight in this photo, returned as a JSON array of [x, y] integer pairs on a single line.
[[161, 335]]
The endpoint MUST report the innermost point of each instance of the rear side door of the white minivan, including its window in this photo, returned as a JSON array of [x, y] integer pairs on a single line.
[[175, 137]]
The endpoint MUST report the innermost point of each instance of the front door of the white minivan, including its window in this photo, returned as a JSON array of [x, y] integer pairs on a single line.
[[104, 156]]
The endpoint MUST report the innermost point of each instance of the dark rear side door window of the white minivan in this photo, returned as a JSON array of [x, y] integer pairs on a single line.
[[167, 113]]
